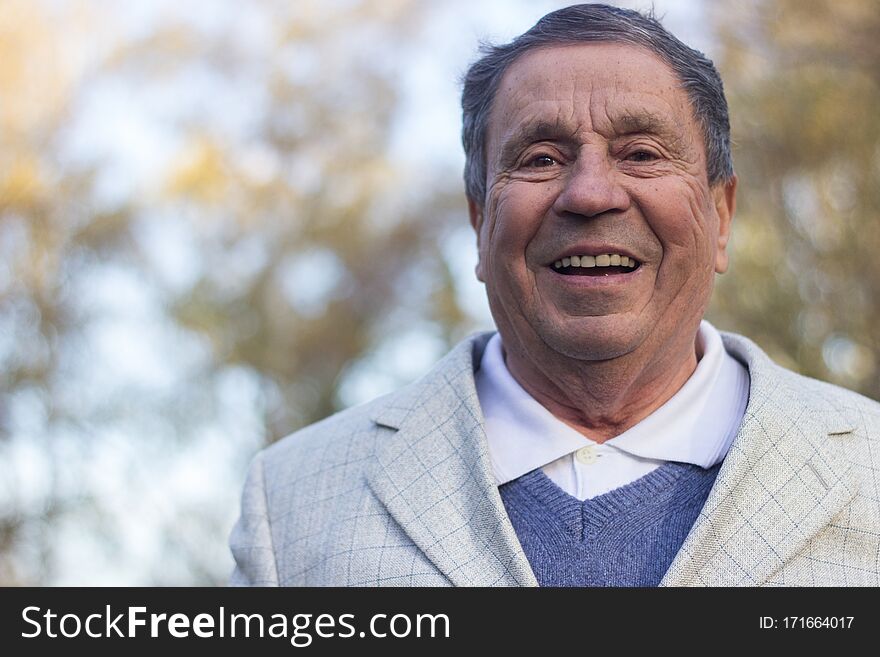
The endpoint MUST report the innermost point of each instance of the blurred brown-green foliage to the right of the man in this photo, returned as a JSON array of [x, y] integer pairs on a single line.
[[803, 82]]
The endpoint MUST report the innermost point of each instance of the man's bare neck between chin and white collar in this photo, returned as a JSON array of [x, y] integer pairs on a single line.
[[602, 399]]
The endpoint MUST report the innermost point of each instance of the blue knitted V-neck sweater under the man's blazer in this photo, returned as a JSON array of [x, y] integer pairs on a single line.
[[626, 537]]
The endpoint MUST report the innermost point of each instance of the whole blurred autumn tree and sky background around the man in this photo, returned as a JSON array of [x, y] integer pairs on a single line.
[[223, 220]]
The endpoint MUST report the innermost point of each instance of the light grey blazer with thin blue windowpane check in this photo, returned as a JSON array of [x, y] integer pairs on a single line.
[[399, 492]]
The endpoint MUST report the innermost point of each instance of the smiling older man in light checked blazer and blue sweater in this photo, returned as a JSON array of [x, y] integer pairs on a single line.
[[606, 435]]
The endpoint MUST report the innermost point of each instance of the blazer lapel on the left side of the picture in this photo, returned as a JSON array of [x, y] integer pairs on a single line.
[[434, 476]]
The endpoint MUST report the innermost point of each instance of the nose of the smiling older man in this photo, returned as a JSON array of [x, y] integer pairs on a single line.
[[592, 187]]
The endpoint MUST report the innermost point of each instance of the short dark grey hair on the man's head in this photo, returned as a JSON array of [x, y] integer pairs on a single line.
[[595, 23]]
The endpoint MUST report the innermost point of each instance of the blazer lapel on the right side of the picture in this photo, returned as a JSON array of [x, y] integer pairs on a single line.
[[779, 485]]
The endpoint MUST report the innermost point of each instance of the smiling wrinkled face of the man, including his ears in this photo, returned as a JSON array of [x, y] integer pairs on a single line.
[[593, 150]]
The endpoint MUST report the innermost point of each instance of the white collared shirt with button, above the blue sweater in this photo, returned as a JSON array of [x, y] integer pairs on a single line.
[[696, 425]]
